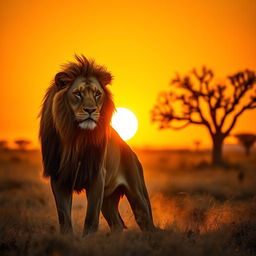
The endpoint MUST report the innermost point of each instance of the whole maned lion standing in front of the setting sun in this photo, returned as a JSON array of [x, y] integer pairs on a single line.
[[81, 151]]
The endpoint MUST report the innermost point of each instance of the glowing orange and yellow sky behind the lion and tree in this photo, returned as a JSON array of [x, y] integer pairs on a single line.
[[143, 43]]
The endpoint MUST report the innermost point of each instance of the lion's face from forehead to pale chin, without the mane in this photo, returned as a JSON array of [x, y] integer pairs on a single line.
[[85, 98]]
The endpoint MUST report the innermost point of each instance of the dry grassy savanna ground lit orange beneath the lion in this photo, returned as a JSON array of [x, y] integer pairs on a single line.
[[201, 210]]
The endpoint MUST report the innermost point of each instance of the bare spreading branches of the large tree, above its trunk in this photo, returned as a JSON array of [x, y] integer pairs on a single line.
[[190, 97]]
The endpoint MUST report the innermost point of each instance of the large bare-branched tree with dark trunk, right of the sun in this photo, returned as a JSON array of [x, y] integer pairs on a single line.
[[195, 99]]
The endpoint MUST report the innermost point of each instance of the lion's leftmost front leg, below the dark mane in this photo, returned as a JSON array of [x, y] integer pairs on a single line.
[[63, 199]]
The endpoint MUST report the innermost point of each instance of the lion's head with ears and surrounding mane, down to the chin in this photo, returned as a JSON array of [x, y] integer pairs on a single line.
[[81, 103]]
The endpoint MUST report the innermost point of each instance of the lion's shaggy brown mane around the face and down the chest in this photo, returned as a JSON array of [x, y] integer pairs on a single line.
[[65, 147]]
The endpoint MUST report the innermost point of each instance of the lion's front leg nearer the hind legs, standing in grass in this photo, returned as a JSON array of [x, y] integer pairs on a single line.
[[94, 197]]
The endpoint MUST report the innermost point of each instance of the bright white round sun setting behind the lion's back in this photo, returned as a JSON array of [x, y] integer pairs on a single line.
[[125, 123]]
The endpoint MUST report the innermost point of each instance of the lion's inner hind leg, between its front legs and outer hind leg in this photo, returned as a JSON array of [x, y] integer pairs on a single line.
[[110, 211]]
